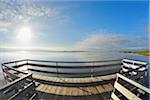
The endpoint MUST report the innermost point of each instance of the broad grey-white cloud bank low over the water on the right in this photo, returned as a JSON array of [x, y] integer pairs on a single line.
[[104, 41]]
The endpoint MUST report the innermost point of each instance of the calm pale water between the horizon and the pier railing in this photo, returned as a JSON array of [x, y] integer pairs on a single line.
[[65, 56]]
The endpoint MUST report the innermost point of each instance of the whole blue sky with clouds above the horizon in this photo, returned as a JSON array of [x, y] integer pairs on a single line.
[[75, 25]]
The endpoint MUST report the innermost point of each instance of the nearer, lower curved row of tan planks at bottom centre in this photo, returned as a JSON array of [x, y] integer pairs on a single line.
[[72, 91]]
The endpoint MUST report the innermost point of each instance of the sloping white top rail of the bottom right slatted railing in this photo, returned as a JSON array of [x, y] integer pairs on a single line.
[[134, 83]]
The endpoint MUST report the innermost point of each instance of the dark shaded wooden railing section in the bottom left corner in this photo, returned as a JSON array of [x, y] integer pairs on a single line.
[[18, 89]]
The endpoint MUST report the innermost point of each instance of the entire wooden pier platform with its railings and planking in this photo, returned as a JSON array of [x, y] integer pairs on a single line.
[[55, 88]]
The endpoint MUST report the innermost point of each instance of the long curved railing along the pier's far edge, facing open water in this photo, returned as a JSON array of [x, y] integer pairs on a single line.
[[58, 65]]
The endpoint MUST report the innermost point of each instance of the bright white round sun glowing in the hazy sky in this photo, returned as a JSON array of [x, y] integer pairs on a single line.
[[24, 34]]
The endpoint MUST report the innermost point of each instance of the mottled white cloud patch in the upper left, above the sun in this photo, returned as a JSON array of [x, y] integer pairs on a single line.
[[21, 11]]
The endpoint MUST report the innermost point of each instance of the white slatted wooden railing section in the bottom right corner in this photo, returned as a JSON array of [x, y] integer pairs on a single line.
[[121, 91]]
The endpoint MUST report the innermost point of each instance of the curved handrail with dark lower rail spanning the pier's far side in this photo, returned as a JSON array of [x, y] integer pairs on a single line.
[[57, 65]]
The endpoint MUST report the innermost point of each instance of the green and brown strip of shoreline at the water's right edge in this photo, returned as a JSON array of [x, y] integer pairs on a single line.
[[142, 52]]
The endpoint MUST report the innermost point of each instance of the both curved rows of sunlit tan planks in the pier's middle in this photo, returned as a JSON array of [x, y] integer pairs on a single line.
[[75, 90]]
